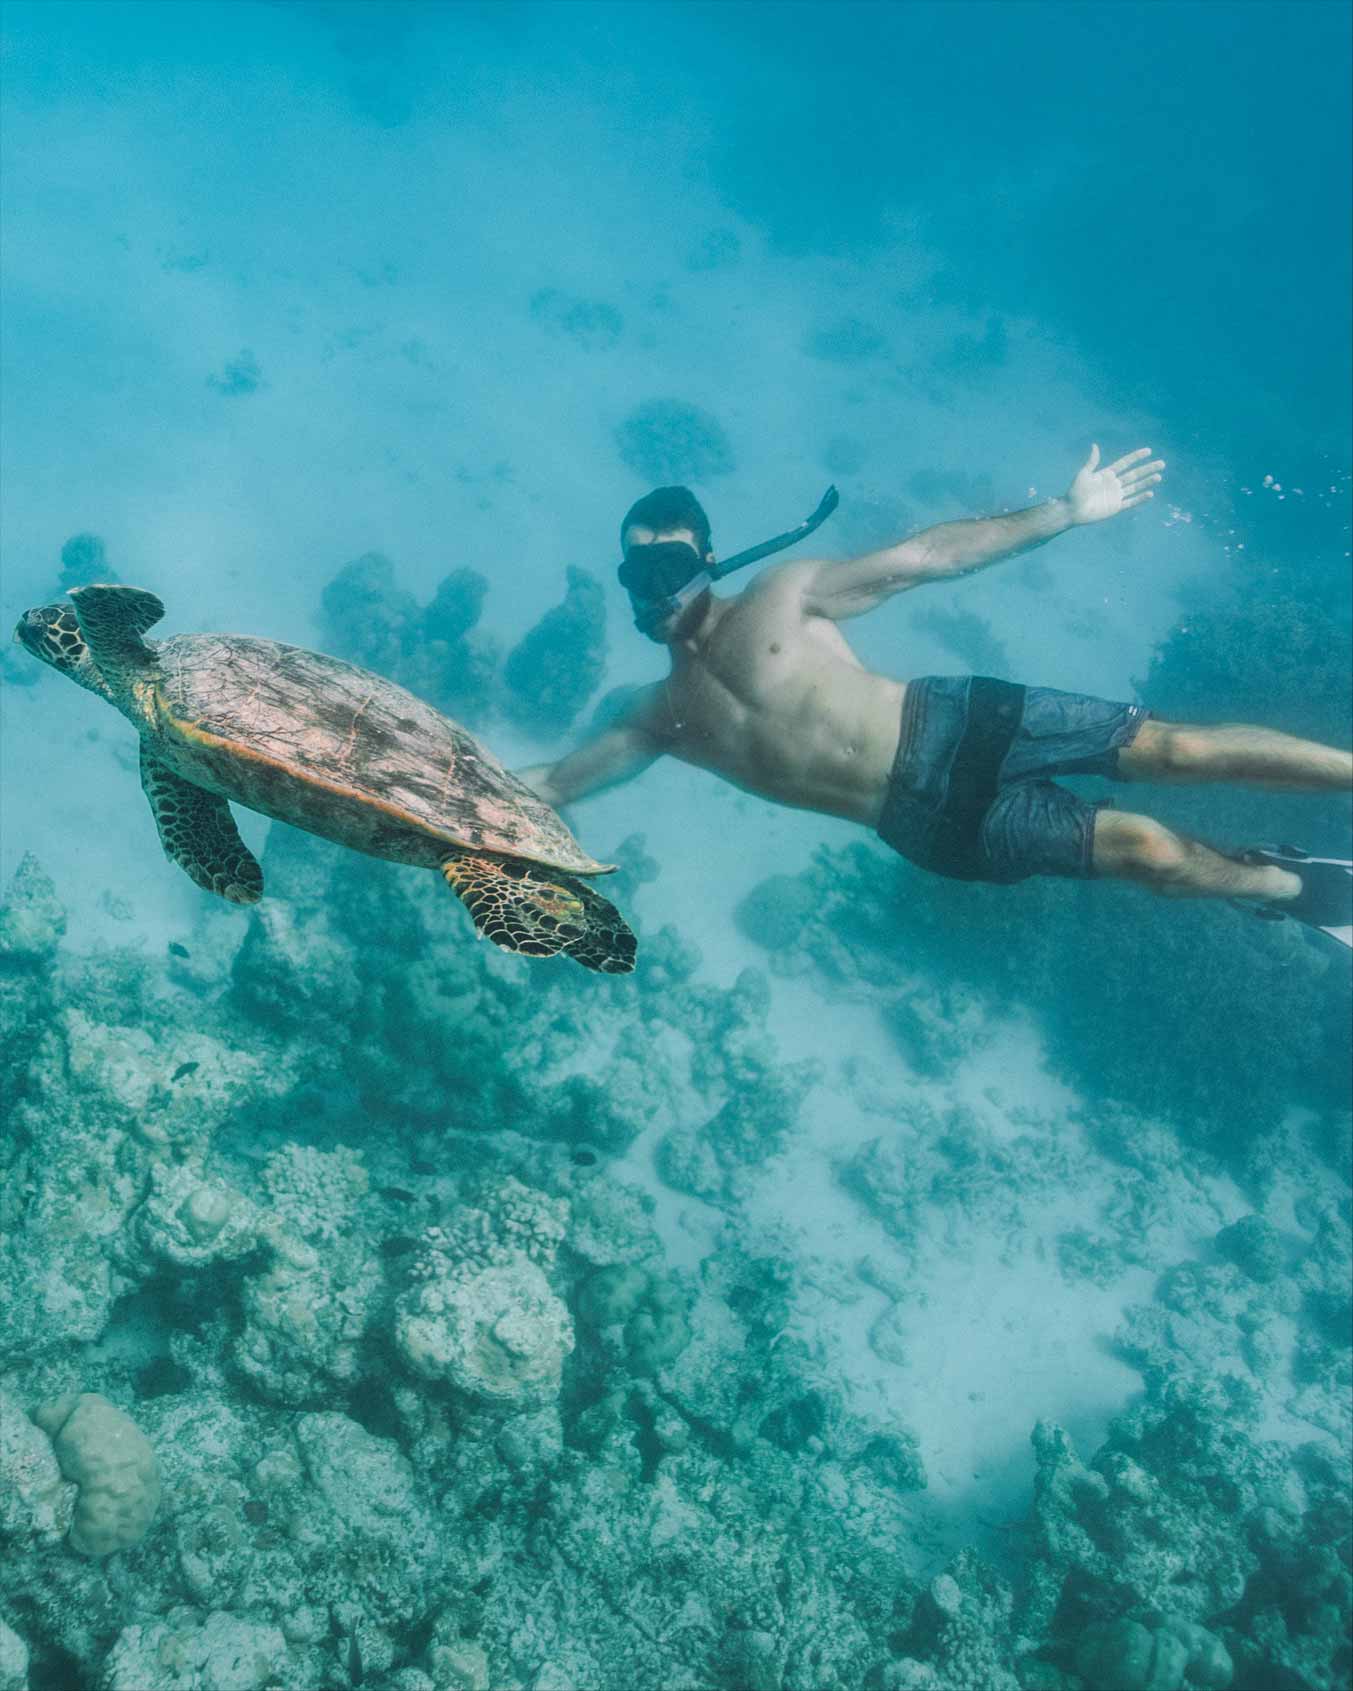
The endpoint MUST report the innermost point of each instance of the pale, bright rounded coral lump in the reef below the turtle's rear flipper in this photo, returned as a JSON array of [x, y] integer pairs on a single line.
[[498, 1335]]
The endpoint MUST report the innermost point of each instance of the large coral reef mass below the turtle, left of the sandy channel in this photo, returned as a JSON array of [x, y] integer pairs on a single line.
[[334, 1230]]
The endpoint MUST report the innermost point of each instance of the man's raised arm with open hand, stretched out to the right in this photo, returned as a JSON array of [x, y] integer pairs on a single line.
[[956, 549]]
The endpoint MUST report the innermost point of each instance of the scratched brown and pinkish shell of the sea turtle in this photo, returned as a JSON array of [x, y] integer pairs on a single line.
[[332, 748]]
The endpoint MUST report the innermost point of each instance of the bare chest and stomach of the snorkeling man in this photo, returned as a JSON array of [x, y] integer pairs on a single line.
[[775, 701]]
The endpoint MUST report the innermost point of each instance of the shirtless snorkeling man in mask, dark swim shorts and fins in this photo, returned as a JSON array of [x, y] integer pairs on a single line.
[[956, 774]]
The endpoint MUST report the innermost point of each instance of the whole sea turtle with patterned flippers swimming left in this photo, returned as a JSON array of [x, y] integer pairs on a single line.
[[334, 750]]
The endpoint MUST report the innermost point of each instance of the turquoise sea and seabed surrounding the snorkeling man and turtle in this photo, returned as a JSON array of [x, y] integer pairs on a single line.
[[894, 1283]]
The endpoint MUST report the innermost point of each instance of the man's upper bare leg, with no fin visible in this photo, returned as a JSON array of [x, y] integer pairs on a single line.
[[1180, 752]]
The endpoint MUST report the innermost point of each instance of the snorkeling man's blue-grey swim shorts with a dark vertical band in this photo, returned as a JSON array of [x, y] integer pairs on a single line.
[[972, 794]]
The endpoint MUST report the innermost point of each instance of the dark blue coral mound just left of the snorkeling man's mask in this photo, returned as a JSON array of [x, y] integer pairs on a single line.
[[559, 664]]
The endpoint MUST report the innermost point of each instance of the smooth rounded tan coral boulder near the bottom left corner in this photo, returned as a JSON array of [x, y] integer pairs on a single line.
[[111, 1462]]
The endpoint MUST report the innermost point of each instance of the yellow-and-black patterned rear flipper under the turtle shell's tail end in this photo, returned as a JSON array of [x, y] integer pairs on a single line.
[[523, 907]]
